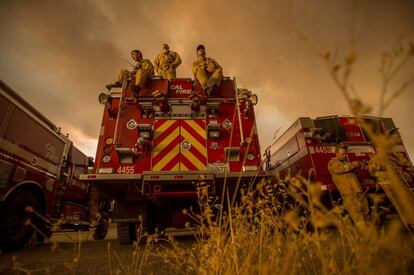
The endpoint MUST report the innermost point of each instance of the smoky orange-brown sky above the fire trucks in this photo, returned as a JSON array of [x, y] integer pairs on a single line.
[[59, 55]]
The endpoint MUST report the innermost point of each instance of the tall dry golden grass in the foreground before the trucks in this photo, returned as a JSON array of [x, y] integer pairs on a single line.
[[262, 235]]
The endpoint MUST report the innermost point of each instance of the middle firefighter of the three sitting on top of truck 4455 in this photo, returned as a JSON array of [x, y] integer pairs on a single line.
[[167, 62]]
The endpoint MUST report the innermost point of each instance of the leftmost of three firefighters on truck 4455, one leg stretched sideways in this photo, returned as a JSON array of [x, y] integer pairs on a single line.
[[142, 71]]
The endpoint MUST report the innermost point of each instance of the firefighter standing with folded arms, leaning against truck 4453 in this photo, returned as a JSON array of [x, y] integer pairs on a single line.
[[345, 179]]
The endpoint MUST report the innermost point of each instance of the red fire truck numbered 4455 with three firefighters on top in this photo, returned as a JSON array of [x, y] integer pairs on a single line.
[[156, 149]]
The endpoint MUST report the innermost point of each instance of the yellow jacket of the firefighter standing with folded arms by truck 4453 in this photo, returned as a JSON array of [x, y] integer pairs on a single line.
[[343, 177]]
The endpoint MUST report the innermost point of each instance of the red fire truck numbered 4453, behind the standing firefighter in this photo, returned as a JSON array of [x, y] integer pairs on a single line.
[[306, 147]]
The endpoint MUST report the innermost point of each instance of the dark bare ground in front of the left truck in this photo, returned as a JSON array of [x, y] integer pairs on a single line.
[[60, 256]]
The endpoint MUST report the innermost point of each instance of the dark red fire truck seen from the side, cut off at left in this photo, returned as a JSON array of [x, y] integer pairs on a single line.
[[39, 175]]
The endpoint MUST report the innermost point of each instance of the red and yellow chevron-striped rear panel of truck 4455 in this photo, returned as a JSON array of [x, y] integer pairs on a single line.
[[179, 145]]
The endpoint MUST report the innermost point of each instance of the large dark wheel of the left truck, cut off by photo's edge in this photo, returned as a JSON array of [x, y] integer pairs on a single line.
[[15, 229]]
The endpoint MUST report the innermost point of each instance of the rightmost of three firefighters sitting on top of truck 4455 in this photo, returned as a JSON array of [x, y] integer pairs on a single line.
[[207, 71]]
